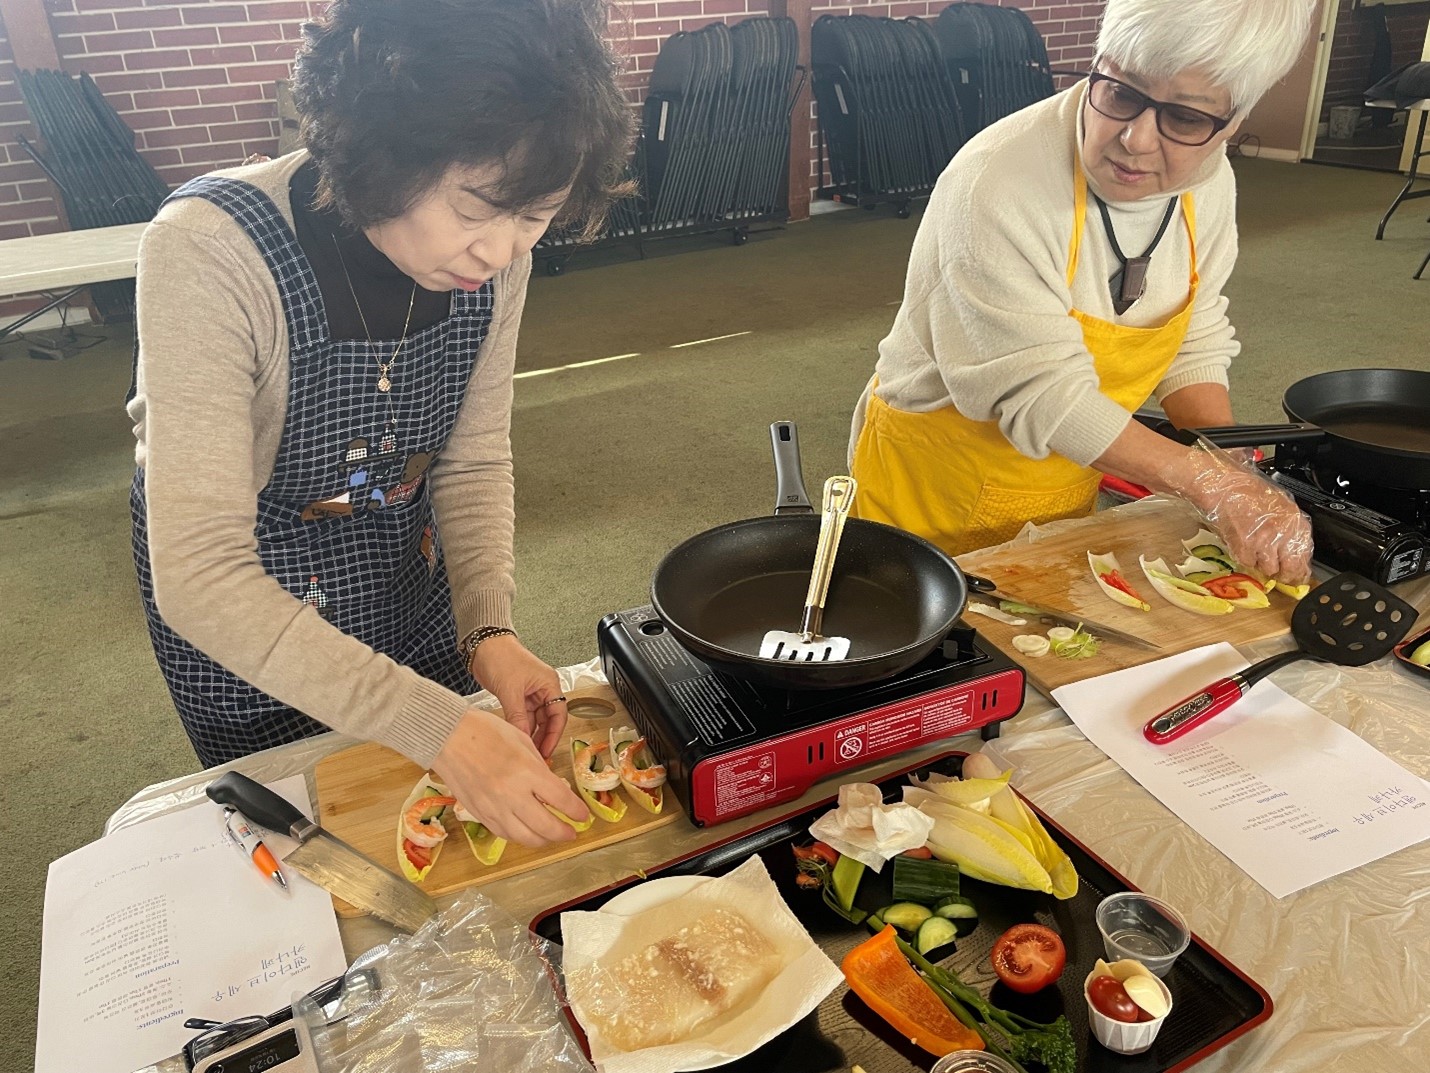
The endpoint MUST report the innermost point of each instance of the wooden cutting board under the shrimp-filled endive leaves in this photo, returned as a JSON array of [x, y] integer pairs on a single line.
[[361, 792]]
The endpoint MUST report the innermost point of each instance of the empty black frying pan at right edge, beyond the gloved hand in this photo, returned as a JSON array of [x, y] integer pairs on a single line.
[[1376, 421]]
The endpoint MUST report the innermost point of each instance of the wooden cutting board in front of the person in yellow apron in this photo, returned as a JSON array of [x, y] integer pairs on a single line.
[[1055, 573]]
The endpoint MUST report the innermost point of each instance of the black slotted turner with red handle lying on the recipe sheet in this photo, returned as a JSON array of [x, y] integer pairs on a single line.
[[1348, 620]]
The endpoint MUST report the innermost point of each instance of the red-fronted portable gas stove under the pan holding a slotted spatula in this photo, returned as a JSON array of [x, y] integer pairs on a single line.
[[733, 748]]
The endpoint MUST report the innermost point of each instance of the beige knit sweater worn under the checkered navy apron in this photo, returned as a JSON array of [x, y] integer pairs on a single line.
[[214, 377]]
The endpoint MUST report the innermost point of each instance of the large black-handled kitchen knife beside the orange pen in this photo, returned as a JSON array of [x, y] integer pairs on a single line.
[[328, 862]]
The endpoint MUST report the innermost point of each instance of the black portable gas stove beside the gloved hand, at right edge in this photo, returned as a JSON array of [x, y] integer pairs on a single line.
[[1382, 533]]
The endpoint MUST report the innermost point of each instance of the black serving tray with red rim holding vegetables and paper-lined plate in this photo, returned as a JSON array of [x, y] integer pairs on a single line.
[[1213, 1001]]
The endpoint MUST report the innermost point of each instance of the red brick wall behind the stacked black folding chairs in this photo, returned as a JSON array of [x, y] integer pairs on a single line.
[[195, 79]]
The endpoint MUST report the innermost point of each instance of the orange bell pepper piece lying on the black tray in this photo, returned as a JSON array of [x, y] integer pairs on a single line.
[[879, 974]]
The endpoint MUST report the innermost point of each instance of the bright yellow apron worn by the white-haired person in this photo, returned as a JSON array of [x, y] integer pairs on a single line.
[[960, 483]]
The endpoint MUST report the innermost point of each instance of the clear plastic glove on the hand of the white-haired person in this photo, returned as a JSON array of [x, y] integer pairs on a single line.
[[1263, 527]]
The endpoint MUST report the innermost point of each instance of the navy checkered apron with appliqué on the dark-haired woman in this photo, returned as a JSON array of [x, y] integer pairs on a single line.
[[375, 573]]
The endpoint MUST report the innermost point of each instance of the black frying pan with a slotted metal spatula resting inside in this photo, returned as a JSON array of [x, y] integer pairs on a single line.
[[894, 596]]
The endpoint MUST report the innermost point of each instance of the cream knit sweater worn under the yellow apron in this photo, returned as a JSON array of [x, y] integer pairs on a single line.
[[985, 324]]
